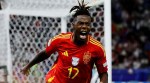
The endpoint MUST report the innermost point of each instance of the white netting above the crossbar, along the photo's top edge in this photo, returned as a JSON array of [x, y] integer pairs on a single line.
[[43, 4]]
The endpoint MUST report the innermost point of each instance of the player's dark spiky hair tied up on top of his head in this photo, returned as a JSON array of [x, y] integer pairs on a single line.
[[82, 9]]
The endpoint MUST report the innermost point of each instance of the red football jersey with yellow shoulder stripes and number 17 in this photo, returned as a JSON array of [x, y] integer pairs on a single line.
[[74, 63]]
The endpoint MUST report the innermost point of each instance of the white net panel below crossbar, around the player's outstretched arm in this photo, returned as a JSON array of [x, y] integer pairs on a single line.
[[28, 36]]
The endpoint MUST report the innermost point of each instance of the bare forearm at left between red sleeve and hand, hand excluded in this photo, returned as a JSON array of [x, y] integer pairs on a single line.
[[38, 58]]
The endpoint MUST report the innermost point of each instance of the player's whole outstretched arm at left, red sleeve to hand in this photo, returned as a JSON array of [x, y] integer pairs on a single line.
[[50, 48]]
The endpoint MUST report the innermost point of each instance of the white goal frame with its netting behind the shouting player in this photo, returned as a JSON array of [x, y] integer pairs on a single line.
[[29, 24]]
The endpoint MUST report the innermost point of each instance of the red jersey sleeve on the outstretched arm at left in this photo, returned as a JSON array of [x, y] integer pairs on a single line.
[[51, 46]]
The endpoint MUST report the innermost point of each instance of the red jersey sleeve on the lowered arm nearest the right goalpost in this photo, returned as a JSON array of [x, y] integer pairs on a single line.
[[101, 62]]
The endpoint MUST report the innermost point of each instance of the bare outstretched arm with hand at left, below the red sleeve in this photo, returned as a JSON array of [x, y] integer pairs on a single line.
[[38, 58]]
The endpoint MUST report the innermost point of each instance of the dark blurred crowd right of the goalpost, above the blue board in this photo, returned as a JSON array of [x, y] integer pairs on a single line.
[[130, 34]]
